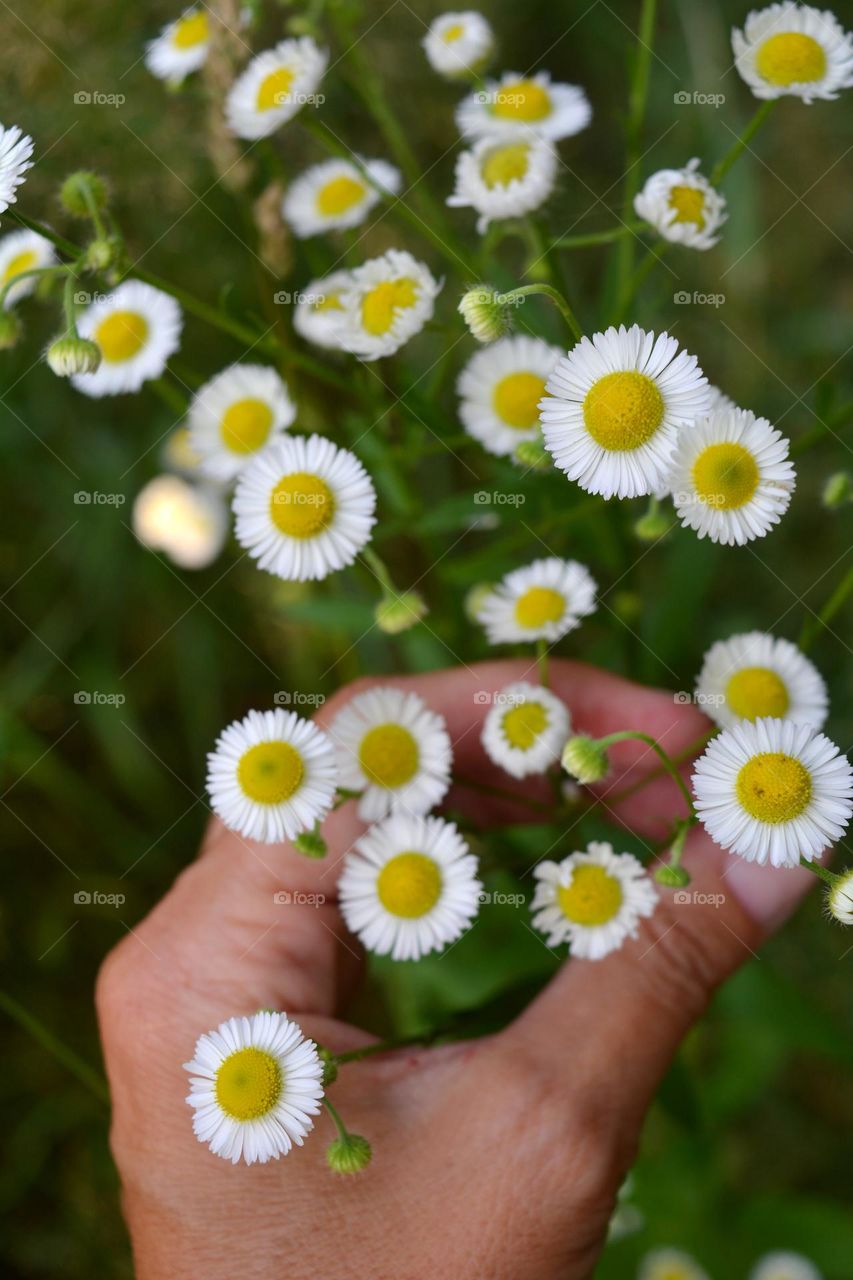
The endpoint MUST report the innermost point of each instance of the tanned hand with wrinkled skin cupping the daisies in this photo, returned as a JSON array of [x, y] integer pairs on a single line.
[[496, 1159]]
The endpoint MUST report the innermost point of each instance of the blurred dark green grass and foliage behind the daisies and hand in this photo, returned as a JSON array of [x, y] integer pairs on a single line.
[[745, 1149]]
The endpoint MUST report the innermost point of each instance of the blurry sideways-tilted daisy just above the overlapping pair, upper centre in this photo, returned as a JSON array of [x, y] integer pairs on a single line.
[[336, 195]]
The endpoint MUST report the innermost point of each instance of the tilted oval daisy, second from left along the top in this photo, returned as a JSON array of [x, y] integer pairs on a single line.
[[275, 88]]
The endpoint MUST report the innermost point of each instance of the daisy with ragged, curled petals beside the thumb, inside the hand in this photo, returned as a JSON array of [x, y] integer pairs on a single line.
[[592, 900]]
